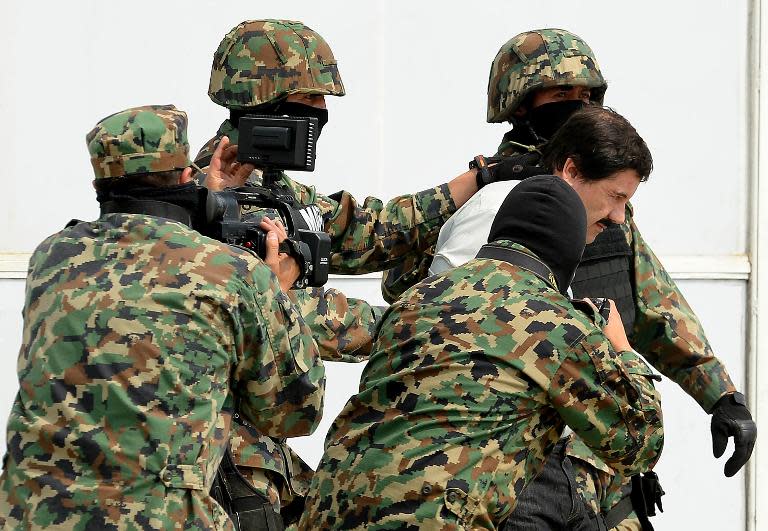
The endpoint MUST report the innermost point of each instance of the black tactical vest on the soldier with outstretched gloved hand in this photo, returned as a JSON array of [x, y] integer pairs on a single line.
[[606, 270]]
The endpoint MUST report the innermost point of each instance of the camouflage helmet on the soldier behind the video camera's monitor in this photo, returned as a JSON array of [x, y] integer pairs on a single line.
[[260, 61]]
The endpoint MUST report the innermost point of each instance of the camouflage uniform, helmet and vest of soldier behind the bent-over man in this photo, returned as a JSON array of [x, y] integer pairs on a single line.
[[659, 322]]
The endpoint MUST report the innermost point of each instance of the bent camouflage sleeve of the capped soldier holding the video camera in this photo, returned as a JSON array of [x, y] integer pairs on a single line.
[[279, 379]]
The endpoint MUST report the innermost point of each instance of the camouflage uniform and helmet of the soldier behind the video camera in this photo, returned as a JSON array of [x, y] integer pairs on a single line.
[[259, 63]]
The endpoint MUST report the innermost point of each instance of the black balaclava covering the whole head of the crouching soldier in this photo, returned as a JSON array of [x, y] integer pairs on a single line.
[[546, 216]]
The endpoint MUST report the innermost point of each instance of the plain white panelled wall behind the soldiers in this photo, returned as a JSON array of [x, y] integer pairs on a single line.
[[416, 77]]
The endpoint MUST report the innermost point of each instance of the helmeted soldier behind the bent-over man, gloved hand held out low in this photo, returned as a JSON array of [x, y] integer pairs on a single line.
[[537, 80]]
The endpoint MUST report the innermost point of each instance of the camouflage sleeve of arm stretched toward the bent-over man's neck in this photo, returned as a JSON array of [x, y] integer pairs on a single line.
[[375, 236]]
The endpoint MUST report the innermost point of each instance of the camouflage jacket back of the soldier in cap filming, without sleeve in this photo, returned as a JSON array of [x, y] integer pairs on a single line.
[[128, 343]]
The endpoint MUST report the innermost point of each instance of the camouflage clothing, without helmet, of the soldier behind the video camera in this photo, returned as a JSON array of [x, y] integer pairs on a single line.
[[364, 238]]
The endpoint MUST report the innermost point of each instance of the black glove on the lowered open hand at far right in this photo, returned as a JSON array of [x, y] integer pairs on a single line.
[[731, 418]]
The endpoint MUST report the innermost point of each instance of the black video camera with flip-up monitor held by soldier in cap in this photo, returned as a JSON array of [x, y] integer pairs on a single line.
[[272, 144]]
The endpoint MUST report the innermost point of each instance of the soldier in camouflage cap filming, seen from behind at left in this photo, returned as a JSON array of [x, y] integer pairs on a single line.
[[139, 335]]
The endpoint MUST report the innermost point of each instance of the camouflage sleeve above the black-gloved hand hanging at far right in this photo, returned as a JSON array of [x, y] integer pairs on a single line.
[[669, 334]]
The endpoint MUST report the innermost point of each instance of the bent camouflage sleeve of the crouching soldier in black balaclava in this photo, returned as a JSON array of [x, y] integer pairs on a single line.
[[608, 399]]
